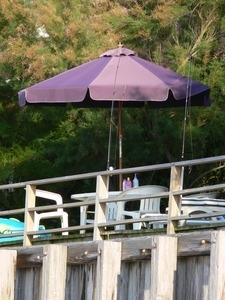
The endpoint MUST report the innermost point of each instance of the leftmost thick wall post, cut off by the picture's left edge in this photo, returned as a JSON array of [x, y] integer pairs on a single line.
[[8, 273]]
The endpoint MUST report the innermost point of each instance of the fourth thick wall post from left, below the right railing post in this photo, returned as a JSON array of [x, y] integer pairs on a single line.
[[163, 268]]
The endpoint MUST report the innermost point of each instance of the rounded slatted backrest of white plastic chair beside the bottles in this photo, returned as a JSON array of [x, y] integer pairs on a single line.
[[147, 204]]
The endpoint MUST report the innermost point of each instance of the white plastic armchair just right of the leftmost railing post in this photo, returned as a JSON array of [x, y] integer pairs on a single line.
[[58, 213]]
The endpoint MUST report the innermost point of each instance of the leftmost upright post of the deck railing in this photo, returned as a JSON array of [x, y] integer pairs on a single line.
[[29, 215]]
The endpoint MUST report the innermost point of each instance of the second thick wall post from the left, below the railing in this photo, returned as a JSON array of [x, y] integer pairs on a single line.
[[53, 275]]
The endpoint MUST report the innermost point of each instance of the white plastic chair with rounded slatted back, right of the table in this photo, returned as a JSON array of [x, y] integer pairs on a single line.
[[149, 207]]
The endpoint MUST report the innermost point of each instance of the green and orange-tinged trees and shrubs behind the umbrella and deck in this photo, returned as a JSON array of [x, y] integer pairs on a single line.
[[39, 39]]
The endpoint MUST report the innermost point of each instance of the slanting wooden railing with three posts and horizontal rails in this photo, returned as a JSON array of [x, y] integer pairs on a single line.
[[102, 178]]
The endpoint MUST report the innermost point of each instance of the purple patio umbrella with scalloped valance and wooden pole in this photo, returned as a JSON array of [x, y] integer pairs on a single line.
[[118, 75]]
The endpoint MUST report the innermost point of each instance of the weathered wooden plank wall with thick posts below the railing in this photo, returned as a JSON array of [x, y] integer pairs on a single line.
[[183, 266]]
